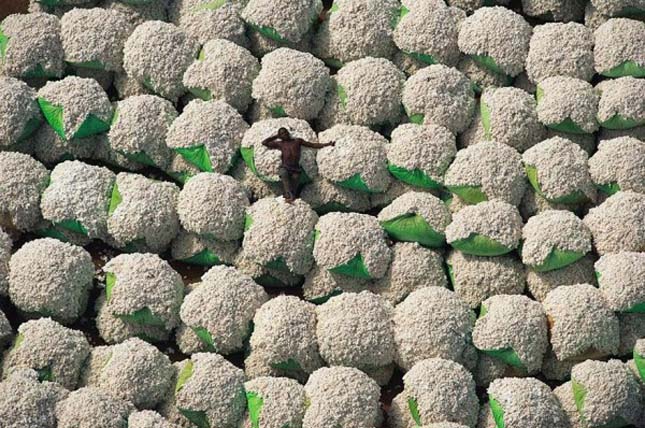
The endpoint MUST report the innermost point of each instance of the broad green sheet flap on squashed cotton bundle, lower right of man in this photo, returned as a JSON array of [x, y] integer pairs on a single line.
[[412, 227]]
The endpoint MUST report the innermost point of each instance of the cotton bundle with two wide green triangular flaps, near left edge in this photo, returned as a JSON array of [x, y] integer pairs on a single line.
[[76, 107]]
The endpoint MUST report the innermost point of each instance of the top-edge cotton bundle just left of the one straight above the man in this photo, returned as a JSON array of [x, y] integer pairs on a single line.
[[206, 20]]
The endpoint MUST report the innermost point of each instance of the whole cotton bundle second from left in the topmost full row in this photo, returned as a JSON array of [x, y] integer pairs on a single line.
[[94, 38]]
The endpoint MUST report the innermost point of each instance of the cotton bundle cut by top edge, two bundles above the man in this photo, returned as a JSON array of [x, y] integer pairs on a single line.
[[283, 21]]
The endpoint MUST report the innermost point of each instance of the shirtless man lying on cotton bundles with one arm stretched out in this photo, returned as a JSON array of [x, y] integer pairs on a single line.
[[290, 169]]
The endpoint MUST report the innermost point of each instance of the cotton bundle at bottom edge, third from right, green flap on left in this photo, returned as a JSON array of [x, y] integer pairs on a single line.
[[432, 387]]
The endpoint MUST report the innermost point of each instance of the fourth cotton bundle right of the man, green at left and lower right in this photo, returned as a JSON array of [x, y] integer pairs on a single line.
[[558, 171]]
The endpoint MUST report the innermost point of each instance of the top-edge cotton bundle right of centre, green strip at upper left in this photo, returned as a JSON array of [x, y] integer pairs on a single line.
[[428, 32]]
